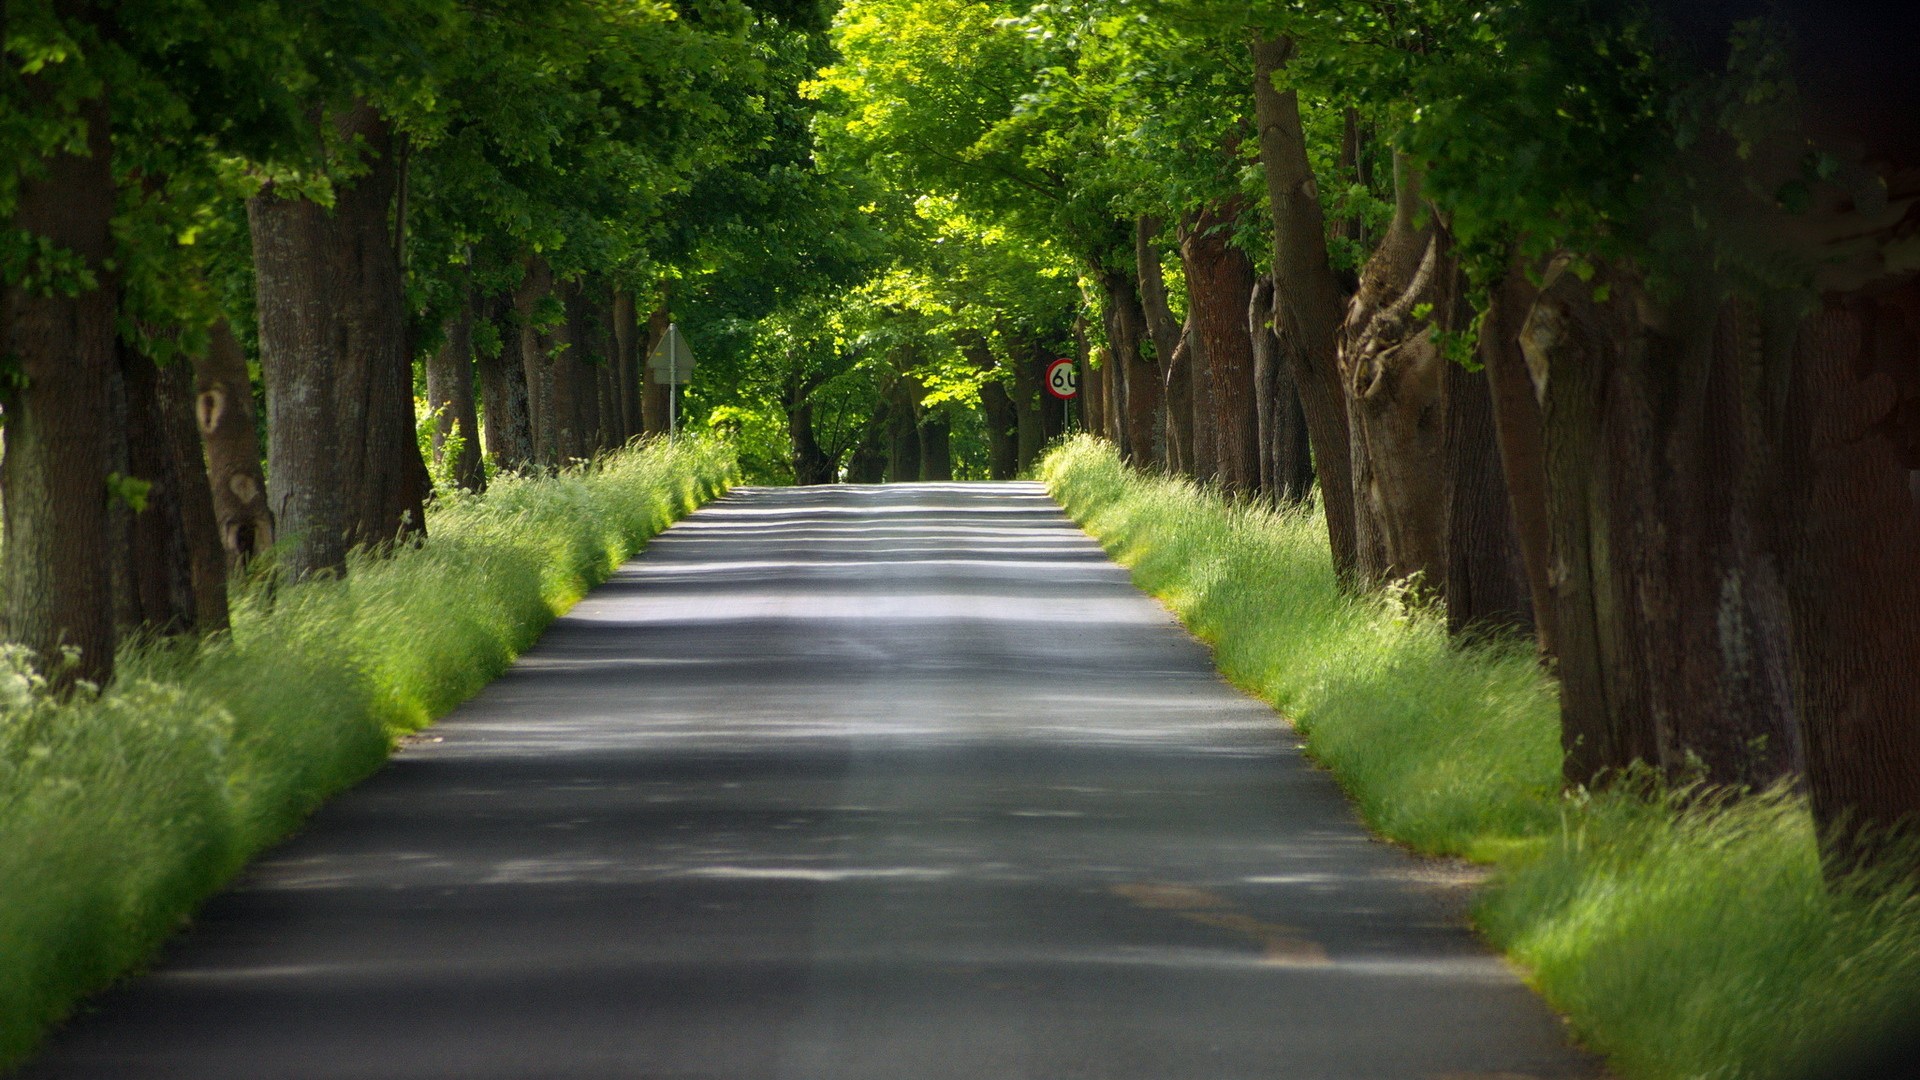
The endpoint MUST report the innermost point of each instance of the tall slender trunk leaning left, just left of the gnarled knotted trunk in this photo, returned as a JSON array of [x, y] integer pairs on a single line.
[[1308, 297]]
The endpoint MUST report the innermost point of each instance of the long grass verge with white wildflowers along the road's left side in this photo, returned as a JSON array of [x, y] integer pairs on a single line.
[[122, 812]]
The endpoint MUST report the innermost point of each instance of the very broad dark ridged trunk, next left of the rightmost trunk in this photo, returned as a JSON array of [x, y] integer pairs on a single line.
[[1671, 616]]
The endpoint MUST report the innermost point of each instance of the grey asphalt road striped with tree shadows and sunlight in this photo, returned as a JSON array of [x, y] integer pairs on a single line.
[[892, 783]]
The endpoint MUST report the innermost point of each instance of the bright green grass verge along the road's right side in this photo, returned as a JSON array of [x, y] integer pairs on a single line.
[[1683, 937]]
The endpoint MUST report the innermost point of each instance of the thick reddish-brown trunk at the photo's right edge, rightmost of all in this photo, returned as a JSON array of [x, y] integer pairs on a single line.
[[1852, 558]]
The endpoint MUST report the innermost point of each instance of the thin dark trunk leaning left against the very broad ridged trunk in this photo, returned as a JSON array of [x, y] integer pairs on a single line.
[[1522, 449]]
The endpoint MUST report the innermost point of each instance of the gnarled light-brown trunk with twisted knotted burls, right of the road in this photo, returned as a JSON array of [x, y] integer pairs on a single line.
[[1397, 397]]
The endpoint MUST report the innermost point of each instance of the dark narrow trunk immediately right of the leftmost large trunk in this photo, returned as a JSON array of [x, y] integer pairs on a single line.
[[153, 566]]
